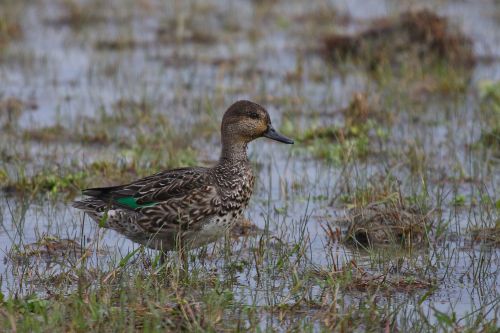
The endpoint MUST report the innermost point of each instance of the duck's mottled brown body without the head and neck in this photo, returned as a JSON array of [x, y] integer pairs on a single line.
[[194, 203]]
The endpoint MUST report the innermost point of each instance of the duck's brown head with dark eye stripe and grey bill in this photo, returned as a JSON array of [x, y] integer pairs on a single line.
[[245, 121]]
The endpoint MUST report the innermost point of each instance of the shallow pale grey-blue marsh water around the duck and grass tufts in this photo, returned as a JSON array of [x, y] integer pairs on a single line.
[[59, 67]]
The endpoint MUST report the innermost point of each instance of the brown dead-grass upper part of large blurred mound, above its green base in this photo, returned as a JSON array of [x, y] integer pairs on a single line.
[[419, 35]]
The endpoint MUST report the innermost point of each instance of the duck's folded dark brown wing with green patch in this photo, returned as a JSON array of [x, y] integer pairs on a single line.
[[154, 189]]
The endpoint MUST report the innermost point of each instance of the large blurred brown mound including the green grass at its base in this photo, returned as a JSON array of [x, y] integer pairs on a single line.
[[422, 53]]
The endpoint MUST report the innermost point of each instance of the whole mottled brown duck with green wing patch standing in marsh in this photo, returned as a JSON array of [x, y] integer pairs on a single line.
[[188, 206]]
